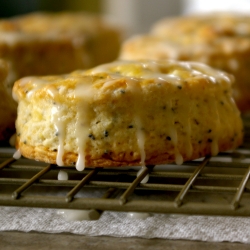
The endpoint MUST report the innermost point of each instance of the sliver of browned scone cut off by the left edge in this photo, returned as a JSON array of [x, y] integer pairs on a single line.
[[7, 108]]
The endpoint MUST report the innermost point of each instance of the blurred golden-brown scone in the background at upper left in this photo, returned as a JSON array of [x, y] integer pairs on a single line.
[[56, 43]]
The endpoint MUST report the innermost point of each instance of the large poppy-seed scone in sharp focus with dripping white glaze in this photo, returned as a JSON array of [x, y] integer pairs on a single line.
[[126, 114]]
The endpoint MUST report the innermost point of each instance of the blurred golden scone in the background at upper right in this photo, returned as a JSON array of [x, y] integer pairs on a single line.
[[221, 40]]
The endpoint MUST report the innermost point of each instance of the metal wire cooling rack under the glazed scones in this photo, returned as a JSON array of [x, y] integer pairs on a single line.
[[210, 186]]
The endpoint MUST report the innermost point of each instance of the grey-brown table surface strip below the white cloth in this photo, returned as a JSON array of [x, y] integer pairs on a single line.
[[34, 240]]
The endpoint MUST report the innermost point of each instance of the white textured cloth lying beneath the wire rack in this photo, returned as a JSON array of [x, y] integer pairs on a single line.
[[203, 228]]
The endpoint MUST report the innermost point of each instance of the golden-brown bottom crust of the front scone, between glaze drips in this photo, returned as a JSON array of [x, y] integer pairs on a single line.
[[41, 153]]
